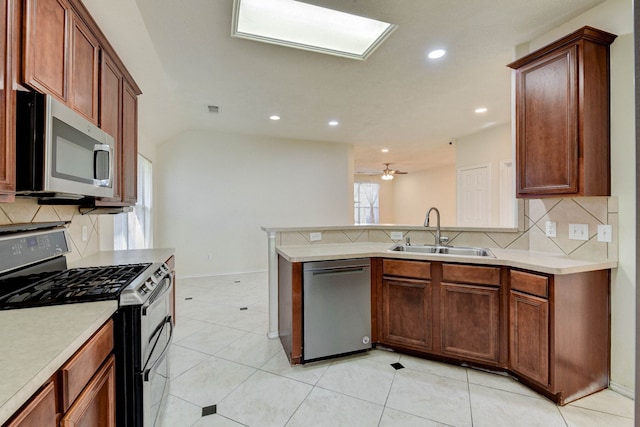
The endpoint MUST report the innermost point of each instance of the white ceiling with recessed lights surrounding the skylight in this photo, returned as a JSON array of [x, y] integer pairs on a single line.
[[183, 57]]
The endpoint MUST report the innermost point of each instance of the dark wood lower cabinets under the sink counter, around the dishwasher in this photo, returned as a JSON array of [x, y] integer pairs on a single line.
[[550, 331]]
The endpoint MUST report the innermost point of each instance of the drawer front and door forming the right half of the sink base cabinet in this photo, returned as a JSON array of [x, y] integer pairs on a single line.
[[470, 312]]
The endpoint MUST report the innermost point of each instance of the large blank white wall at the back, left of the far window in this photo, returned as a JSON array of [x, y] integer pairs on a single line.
[[213, 192]]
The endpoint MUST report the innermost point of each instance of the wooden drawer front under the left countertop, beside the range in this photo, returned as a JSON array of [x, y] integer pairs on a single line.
[[76, 373]]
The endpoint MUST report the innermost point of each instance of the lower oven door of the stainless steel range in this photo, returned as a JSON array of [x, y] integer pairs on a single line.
[[155, 375]]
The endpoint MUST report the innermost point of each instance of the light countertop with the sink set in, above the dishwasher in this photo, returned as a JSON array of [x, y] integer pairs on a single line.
[[529, 260]]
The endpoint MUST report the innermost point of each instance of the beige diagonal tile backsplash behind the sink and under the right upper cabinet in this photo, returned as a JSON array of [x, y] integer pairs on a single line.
[[532, 217]]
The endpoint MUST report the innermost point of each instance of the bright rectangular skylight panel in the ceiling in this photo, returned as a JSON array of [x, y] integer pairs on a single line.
[[305, 26]]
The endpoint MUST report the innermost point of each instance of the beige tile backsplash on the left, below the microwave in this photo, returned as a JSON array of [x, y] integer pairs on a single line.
[[26, 210]]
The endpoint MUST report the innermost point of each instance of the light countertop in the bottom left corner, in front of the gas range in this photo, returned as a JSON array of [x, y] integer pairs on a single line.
[[36, 342]]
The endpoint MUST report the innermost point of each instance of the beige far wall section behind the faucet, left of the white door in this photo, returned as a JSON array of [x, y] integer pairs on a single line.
[[415, 193]]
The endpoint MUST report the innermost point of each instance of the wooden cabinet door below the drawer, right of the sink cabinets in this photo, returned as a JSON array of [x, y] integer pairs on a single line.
[[529, 336]]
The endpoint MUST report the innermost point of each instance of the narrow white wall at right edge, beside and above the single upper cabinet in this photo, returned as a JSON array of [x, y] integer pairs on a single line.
[[616, 16]]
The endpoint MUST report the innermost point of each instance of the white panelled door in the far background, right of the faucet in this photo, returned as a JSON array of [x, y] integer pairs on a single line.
[[474, 196]]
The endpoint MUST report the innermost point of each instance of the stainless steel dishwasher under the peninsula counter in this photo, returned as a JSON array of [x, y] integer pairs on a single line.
[[337, 307]]
